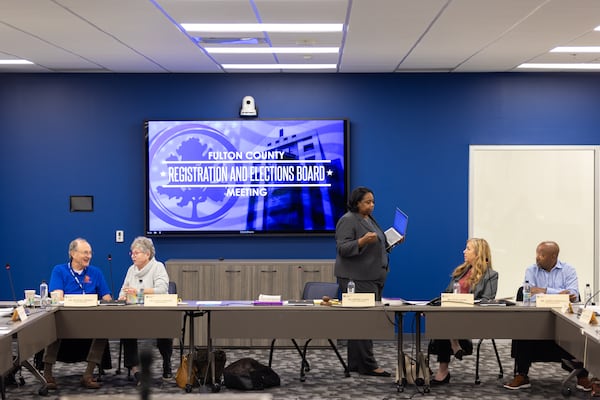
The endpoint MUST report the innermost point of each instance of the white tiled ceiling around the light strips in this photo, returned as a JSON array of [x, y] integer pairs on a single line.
[[124, 36]]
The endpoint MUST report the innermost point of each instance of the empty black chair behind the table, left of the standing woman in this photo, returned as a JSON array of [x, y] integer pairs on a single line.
[[312, 291]]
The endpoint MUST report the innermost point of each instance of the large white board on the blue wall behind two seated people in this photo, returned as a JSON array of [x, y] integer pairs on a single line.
[[520, 196]]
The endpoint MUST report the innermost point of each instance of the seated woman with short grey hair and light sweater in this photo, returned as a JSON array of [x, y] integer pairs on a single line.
[[145, 276]]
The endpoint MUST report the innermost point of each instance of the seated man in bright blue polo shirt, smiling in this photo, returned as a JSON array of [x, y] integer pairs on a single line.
[[78, 277]]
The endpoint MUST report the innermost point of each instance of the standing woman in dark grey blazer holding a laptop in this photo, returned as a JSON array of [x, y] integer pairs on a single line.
[[362, 257]]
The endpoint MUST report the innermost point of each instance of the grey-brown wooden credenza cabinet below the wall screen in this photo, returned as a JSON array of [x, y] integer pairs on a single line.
[[245, 280]]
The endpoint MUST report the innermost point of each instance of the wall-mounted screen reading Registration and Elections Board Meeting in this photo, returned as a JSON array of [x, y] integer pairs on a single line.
[[246, 177]]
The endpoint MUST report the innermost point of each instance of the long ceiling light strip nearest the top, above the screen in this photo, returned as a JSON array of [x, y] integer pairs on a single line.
[[263, 27]]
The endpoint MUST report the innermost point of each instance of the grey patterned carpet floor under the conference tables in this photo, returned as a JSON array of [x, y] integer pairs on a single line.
[[325, 380]]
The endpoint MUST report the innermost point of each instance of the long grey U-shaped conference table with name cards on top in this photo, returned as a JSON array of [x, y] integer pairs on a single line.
[[306, 322]]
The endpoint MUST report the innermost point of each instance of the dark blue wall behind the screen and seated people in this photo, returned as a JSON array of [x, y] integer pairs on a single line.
[[65, 134]]
